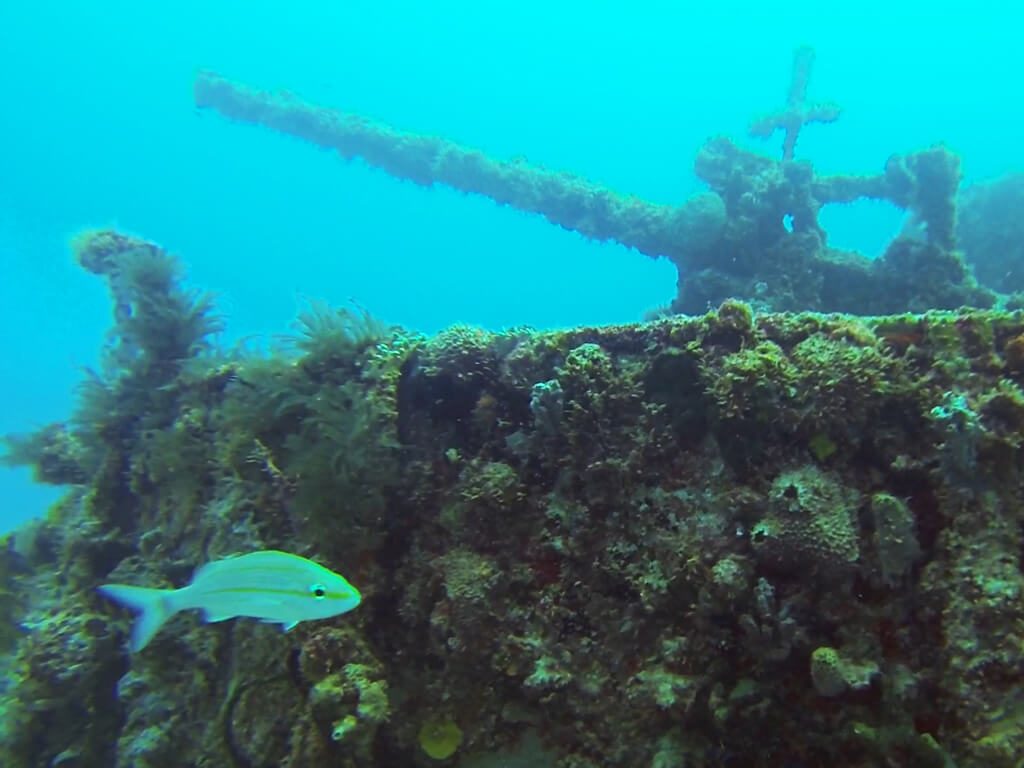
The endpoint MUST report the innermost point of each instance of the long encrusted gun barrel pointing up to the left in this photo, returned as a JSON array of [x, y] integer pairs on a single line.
[[568, 201]]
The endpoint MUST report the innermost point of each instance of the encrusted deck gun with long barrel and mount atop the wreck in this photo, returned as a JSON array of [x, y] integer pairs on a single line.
[[754, 236]]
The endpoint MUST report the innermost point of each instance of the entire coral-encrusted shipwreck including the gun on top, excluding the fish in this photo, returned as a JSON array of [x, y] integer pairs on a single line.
[[750, 536]]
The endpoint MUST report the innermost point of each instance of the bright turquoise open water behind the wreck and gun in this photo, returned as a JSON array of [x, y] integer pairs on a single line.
[[98, 129]]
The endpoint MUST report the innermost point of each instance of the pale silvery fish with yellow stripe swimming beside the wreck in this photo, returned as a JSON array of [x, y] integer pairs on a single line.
[[275, 587]]
